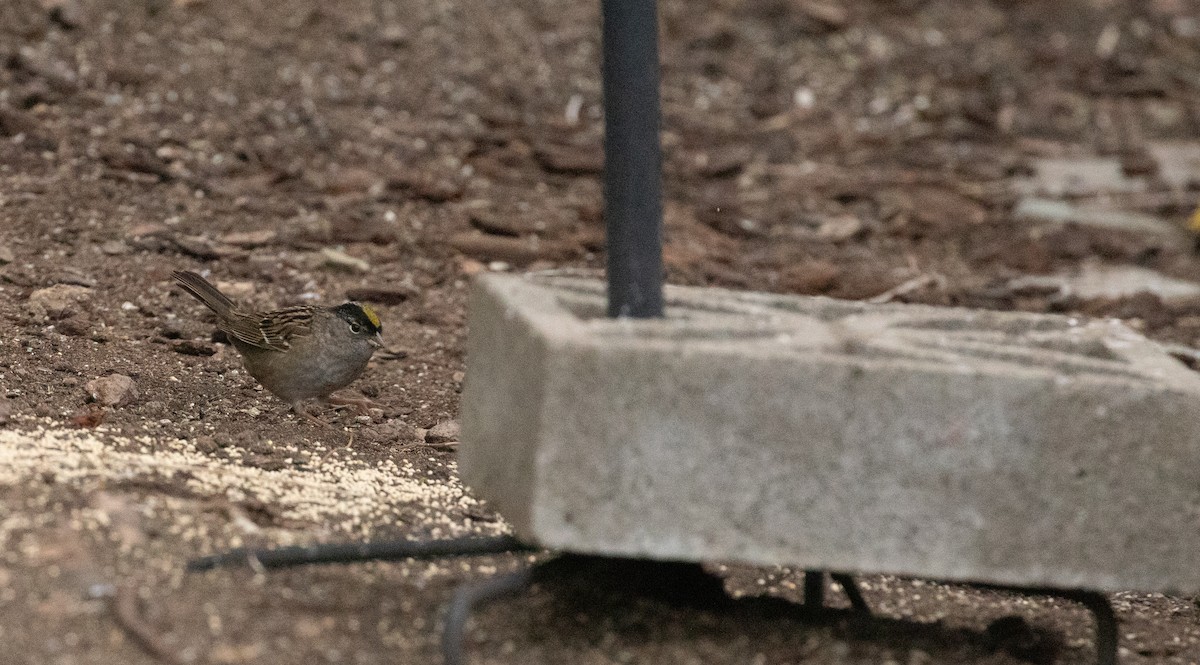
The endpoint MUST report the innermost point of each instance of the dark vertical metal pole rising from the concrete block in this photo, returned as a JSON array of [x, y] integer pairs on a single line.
[[633, 158]]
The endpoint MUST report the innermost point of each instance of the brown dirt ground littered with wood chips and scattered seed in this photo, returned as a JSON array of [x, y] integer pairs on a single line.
[[387, 151]]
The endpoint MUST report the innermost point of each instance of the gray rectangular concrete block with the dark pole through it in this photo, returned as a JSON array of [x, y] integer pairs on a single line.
[[945, 444]]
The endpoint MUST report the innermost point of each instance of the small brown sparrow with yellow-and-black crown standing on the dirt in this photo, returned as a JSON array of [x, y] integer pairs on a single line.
[[297, 354]]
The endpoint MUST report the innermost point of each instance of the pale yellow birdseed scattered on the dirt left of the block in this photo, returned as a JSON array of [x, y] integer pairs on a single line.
[[344, 496]]
